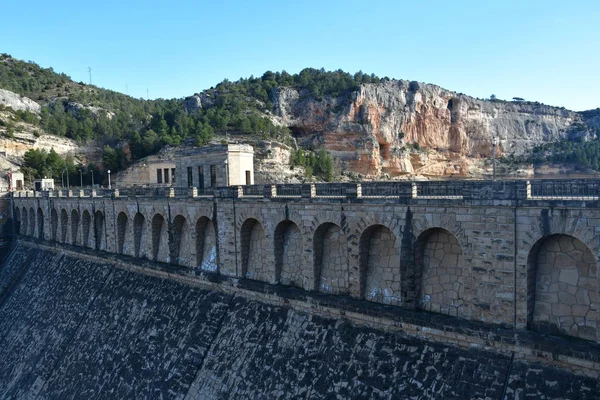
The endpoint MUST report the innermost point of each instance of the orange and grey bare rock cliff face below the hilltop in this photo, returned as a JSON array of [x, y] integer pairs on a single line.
[[377, 129]]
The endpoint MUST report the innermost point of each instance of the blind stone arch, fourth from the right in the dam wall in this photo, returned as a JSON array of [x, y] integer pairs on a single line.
[[330, 259]]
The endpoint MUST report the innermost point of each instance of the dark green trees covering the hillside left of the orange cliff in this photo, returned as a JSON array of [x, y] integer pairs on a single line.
[[129, 129]]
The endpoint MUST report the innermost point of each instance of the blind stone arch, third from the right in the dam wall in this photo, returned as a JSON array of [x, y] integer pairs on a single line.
[[379, 260]]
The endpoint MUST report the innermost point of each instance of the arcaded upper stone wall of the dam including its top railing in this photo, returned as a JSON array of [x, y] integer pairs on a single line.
[[519, 254]]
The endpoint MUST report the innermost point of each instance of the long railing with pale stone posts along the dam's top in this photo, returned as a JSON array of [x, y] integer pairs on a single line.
[[547, 190]]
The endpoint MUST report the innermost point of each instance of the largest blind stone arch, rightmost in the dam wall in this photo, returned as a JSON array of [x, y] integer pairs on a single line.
[[562, 283]]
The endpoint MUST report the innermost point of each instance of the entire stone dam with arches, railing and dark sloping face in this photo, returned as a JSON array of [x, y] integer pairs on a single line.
[[451, 290]]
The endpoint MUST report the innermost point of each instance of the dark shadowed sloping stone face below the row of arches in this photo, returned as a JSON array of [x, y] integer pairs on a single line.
[[79, 327]]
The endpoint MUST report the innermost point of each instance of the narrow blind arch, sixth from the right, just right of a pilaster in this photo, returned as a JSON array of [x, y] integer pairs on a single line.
[[253, 250]]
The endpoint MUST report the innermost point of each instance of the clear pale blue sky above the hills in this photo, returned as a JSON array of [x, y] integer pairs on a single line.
[[543, 50]]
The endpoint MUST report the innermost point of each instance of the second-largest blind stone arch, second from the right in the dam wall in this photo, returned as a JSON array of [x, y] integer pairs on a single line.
[[440, 272]]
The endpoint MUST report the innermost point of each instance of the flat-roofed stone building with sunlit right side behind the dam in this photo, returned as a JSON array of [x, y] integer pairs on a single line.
[[217, 165]]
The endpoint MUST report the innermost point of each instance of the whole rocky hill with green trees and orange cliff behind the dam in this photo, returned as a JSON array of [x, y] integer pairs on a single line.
[[373, 127]]
